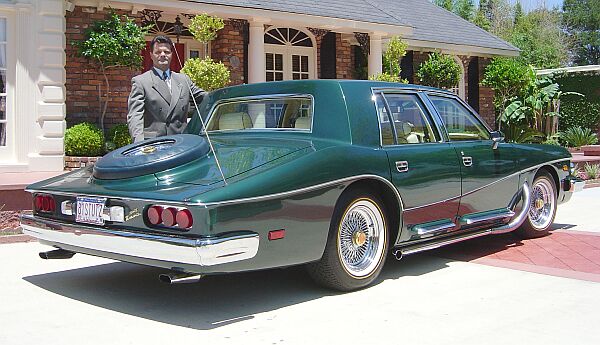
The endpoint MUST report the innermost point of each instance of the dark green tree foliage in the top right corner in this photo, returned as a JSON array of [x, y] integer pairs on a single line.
[[582, 21]]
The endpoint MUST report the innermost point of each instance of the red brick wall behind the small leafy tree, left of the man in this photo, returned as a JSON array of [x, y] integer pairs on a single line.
[[83, 79]]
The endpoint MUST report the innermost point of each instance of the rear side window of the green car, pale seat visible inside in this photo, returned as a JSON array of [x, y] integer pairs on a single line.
[[411, 124]]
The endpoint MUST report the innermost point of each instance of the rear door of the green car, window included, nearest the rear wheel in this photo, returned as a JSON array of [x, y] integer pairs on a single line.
[[424, 169]]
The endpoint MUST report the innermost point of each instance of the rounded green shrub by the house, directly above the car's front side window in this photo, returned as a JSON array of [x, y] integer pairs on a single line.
[[439, 70]]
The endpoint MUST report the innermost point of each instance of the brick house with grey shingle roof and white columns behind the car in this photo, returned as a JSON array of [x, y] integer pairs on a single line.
[[45, 86]]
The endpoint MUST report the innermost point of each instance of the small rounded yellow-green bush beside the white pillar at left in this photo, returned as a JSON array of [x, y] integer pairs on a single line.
[[84, 139]]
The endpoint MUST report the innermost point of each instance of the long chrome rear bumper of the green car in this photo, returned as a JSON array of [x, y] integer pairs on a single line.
[[202, 251]]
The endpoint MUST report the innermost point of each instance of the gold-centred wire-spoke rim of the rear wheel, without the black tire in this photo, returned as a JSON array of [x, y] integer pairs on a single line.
[[361, 238]]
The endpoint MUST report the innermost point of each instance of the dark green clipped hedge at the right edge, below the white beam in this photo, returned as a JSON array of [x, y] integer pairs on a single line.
[[579, 112]]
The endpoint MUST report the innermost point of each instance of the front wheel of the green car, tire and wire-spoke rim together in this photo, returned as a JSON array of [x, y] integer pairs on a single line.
[[542, 208]]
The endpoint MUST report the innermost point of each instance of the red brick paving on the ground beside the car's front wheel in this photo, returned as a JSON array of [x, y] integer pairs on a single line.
[[565, 253]]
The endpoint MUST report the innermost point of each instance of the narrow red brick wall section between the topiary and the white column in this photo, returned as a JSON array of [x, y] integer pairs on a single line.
[[230, 43]]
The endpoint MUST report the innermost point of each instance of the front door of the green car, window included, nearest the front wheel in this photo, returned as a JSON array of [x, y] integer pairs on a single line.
[[489, 181]]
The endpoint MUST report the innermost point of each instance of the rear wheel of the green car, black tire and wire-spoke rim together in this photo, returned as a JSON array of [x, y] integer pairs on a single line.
[[357, 243]]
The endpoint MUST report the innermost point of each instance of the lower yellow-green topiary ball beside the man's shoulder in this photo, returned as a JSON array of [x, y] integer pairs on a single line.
[[206, 73]]
